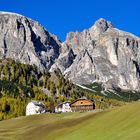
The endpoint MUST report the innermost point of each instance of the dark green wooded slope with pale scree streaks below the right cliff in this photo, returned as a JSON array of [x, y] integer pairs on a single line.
[[115, 93]]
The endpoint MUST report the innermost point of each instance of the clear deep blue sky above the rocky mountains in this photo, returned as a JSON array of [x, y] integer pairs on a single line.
[[62, 16]]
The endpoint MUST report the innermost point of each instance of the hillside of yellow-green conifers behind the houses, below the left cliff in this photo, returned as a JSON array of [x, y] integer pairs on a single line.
[[21, 83]]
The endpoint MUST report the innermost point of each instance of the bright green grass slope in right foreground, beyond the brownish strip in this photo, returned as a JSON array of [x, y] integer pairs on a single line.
[[118, 124]]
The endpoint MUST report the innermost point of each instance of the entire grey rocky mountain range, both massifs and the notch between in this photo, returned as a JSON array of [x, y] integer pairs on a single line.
[[101, 53]]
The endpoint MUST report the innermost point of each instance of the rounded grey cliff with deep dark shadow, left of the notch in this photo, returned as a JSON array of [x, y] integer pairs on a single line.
[[27, 41]]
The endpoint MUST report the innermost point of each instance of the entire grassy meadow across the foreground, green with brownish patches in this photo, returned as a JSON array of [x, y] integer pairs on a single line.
[[121, 123]]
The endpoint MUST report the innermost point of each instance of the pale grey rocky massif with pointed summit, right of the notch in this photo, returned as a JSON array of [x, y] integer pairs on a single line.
[[105, 54]]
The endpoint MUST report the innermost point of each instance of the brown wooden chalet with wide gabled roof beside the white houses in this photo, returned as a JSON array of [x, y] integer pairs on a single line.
[[82, 105]]
